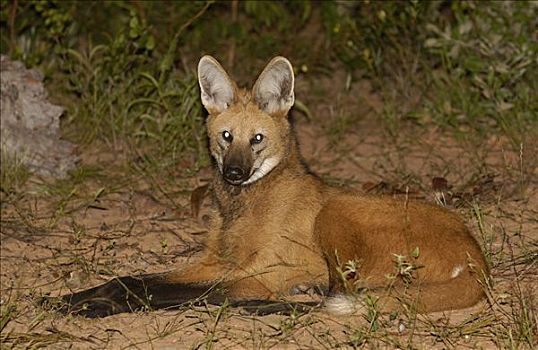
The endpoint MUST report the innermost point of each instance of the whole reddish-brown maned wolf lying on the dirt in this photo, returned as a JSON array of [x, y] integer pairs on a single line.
[[278, 230]]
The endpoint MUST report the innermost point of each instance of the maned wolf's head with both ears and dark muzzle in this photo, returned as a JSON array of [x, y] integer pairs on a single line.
[[249, 134]]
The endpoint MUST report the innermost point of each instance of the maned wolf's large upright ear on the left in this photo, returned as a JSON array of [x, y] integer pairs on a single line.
[[217, 89]]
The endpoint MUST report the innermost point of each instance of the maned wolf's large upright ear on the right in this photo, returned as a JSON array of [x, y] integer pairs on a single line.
[[273, 91]]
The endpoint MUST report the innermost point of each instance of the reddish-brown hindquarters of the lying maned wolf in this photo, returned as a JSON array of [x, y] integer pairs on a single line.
[[371, 230]]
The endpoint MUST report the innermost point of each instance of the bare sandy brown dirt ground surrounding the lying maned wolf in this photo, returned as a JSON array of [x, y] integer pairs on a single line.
[[135, 229]]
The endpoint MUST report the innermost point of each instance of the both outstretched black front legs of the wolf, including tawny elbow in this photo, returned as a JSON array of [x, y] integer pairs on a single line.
[[207, 279]]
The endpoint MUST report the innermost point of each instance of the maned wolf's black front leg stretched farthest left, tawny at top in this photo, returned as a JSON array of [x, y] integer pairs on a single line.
[[202, 279]]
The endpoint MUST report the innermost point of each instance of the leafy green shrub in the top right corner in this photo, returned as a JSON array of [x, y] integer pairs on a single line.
[[487, 77]]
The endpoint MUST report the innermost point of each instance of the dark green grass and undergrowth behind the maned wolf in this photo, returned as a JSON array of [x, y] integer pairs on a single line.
[[125, 70]]
